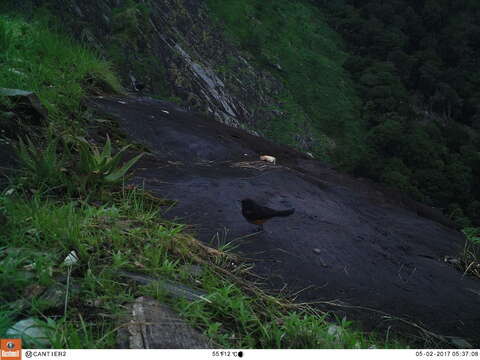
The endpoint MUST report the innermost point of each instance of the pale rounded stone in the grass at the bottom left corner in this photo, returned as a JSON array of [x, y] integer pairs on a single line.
[[31, 330]]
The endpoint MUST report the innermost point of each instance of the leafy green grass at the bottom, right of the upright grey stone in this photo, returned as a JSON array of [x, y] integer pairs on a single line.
[[259, 321]]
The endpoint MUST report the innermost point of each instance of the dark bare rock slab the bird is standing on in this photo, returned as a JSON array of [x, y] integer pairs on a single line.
[[349, 241]]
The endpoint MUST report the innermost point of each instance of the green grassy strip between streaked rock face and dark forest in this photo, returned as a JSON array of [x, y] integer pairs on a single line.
[[293, 40]]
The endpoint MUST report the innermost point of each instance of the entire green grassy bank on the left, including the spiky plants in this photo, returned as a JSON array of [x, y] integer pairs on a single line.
[[51, 210]]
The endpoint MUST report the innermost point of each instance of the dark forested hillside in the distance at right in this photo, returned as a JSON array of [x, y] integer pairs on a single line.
[[416, 67]]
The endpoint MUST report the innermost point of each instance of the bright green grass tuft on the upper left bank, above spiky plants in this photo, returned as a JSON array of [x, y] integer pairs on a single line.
[[53, 66]]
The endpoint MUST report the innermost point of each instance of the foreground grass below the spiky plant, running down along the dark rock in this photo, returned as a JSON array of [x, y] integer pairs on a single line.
[[129, 234]]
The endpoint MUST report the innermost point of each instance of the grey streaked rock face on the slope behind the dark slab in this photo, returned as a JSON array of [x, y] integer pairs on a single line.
[[174, 49]]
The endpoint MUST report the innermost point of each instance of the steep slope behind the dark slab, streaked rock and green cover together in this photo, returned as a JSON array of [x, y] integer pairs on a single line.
[[273, 69]]
